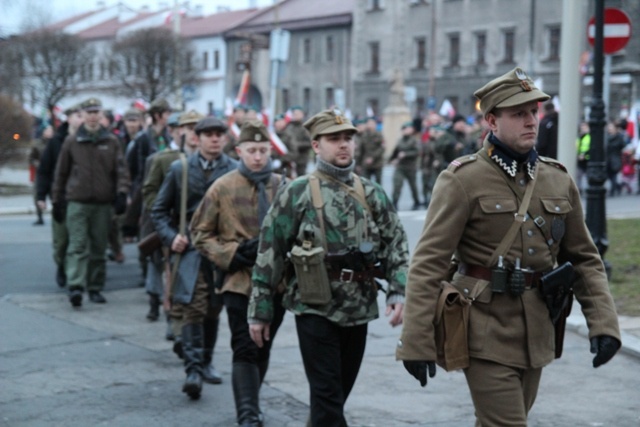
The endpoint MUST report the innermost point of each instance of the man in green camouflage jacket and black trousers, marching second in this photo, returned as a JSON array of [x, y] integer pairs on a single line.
[[357, 222]]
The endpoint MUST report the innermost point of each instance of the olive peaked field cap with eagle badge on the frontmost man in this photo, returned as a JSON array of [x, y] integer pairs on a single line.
[[511, 89]]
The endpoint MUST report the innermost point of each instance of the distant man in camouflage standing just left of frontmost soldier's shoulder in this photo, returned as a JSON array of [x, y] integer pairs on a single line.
[[405, 159]]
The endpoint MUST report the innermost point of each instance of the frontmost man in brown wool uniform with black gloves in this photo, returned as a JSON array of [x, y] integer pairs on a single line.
[[510, 333]]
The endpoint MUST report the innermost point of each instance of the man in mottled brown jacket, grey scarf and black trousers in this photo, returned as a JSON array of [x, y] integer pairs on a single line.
[[225, 230]]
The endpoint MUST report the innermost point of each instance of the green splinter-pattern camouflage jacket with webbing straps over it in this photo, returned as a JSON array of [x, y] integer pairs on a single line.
[[346, 220]]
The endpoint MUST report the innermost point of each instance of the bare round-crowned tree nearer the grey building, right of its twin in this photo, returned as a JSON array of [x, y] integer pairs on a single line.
[[152, 63]]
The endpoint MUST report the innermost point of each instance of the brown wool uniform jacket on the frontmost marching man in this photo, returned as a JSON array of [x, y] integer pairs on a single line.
[[470, 212]]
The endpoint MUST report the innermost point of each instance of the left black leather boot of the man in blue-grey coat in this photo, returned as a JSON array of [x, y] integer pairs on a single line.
[[193, 354]]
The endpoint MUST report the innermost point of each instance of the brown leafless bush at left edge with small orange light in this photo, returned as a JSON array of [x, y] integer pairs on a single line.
[[15, 129]]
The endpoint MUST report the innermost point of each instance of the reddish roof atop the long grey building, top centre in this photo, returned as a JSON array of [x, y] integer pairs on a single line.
[[301, 14]]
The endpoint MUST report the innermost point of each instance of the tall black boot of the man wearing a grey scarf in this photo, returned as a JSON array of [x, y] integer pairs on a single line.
[[245, 378]]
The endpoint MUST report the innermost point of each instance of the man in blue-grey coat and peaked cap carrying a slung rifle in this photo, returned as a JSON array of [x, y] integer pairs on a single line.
[[192, 291]]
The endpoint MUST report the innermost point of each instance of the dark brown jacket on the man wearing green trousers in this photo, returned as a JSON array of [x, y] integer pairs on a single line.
[[90, 168]]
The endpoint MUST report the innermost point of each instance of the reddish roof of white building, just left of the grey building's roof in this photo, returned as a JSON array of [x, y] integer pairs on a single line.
[[216, 23]]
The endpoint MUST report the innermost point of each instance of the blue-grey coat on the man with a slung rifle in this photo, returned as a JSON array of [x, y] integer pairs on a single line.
[[167, 206]]
